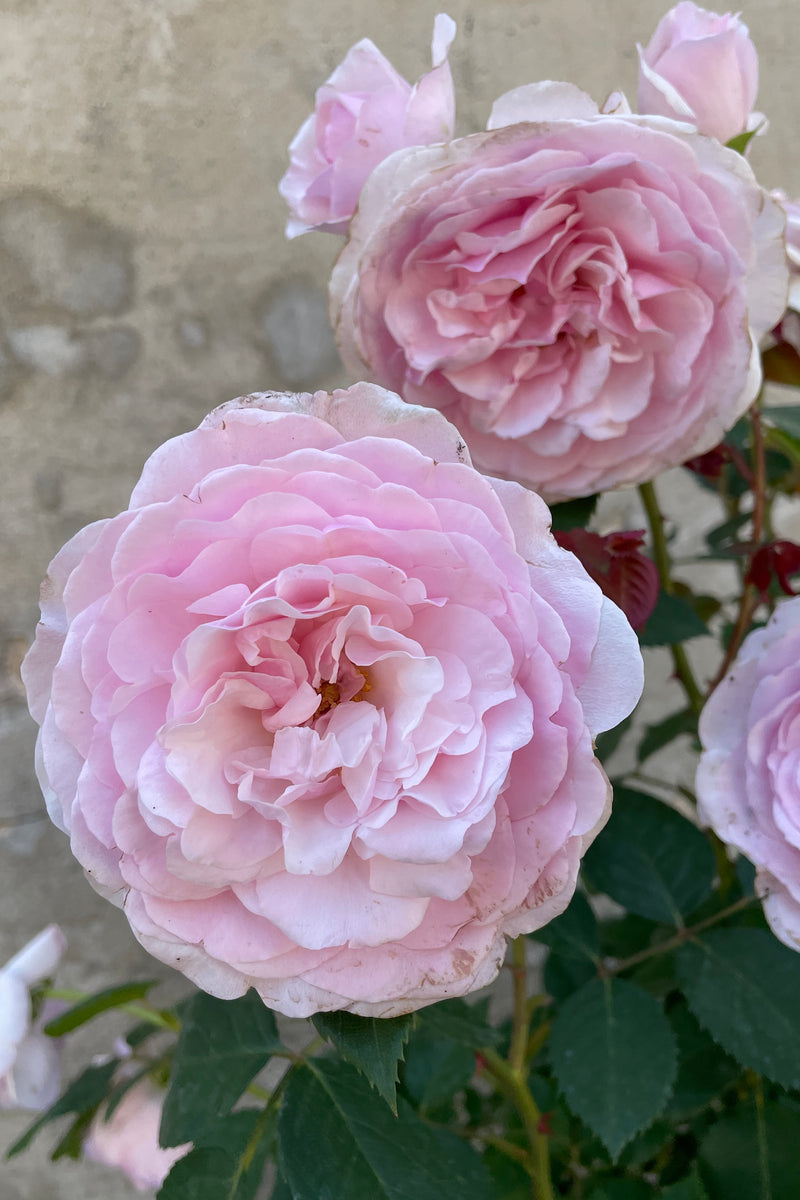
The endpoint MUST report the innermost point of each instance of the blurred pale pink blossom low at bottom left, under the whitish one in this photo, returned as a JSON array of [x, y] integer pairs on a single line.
[[130, 1139]]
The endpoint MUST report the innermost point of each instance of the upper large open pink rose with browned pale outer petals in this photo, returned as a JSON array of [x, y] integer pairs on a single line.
[[580, 295]]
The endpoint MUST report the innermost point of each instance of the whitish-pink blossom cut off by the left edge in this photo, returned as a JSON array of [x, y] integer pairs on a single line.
[[31, 1063]]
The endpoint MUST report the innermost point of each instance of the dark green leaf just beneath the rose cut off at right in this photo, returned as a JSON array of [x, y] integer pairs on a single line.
[[743, 986]]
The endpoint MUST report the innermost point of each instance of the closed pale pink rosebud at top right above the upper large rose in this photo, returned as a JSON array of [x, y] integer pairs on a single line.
[[701, 68]]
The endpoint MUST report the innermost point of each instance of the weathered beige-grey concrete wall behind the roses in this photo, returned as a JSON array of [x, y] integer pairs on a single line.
[[145, 279]]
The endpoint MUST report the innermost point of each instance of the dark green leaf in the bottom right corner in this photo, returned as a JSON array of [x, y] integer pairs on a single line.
[[751, 1156]]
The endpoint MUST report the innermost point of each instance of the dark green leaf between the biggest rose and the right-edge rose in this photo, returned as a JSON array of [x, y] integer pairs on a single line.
[[651, 860]]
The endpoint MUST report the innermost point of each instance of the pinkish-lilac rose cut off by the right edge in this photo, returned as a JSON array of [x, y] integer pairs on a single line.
[[749, 777]]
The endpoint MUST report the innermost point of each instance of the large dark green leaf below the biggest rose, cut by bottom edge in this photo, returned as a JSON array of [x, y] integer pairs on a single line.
[[369, 1154]]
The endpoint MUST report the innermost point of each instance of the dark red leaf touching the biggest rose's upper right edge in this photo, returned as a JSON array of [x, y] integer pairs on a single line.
[[617, 565]]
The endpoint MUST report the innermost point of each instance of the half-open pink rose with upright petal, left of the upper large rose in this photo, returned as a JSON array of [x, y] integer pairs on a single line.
[[364, 113]]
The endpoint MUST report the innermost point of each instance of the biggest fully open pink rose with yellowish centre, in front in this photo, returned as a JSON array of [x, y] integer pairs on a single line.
[[318, 709]]
